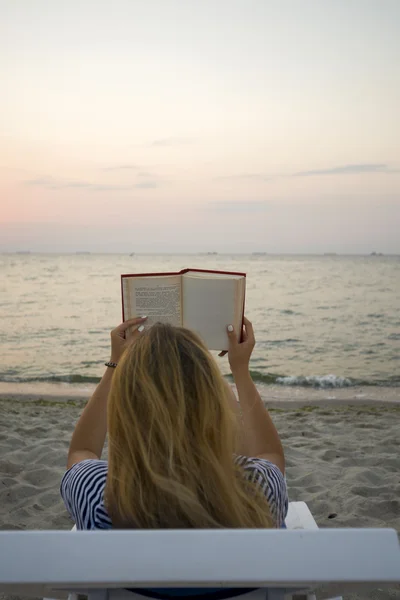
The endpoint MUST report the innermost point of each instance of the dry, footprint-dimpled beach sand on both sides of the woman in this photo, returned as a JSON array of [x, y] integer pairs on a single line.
[[342, 459]]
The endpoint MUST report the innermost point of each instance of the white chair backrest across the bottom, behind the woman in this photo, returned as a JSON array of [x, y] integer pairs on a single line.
[[46, 563]]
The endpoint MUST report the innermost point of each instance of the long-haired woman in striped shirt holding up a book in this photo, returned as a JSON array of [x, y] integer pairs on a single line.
[[183, 453]]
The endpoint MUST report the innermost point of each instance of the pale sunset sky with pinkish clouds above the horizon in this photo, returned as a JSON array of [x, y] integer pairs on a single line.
[[200, 125]]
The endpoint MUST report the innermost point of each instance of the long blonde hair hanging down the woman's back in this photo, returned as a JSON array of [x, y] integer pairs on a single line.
[[172, 436]]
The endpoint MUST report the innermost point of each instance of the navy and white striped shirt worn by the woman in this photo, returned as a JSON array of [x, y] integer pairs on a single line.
[[83, 485]]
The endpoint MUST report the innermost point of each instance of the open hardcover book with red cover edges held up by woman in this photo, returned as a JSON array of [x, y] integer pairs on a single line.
[[203, 301]]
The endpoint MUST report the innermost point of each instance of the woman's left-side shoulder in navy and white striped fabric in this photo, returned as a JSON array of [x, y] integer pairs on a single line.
[[82, 489]]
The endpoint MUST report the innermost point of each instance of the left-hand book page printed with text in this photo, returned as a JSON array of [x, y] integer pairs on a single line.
[[158, 298]]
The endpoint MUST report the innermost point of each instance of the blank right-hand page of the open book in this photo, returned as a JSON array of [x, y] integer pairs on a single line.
[[209, 305]]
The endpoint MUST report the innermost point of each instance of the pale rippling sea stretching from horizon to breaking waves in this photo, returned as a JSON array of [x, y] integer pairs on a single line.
[[320, 321]]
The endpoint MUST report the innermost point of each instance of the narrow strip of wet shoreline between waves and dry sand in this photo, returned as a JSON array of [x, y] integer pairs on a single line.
[[275, 396]]
